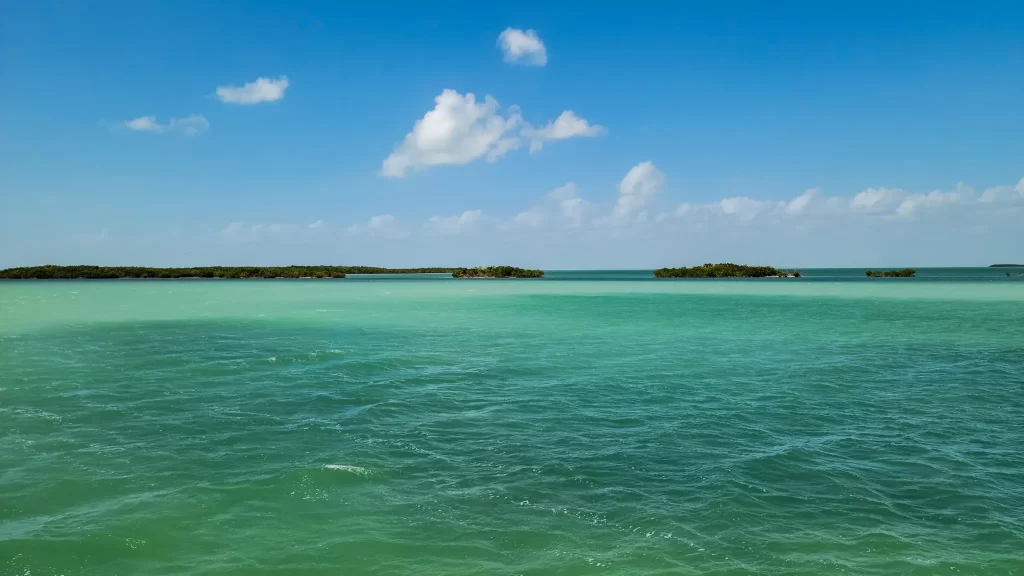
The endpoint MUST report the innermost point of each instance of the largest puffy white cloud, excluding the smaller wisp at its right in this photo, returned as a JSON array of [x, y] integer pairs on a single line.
[[458, 131]]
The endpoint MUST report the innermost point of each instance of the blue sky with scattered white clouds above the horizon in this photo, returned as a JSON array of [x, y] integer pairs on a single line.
[[791, 134]]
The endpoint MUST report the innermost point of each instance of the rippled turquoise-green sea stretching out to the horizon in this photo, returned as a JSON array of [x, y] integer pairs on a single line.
[[592, 423]]
